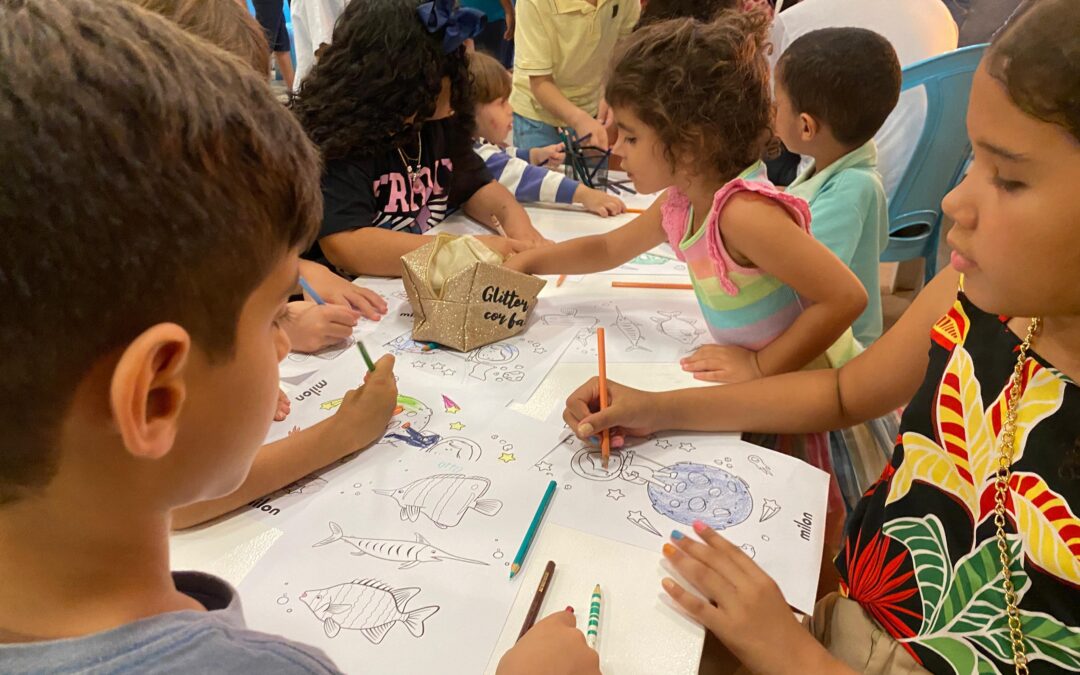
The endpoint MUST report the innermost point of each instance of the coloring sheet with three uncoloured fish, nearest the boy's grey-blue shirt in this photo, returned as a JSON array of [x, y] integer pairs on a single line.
[[404, 570]]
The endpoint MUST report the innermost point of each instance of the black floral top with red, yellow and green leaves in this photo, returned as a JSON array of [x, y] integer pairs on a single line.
[[921, 553]]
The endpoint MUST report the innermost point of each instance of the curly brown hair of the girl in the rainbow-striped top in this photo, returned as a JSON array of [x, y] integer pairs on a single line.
[[703, 87]]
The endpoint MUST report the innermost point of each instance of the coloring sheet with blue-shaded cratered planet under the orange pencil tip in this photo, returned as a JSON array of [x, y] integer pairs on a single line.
[[771, 505]]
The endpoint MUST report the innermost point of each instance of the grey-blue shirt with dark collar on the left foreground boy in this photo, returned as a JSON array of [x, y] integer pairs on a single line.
[[179, 642]]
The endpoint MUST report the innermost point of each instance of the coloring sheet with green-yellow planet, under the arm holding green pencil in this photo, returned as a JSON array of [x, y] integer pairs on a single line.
[[429, 422]]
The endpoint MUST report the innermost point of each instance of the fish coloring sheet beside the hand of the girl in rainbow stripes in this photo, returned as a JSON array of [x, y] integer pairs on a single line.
[[637, 330]]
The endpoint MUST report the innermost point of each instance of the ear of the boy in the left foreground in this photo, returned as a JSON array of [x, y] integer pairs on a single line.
[[147, 390]]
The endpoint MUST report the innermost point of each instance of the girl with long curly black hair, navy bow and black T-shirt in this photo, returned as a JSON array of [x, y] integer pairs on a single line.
[[390, 106]]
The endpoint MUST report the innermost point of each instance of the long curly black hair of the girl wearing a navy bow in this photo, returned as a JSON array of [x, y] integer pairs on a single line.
[[382, 67]]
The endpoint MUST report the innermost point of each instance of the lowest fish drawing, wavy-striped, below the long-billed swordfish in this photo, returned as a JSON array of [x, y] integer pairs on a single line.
[[369, 606]]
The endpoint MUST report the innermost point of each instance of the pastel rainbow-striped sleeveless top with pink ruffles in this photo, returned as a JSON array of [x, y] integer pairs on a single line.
[[744, 306]]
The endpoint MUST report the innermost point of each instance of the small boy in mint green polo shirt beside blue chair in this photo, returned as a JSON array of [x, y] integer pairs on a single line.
[[834, 89]]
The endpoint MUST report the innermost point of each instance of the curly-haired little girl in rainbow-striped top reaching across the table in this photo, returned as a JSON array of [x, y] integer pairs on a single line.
[[693, 105]]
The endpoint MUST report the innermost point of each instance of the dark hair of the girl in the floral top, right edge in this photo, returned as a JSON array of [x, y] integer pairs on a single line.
[[1037, 58]]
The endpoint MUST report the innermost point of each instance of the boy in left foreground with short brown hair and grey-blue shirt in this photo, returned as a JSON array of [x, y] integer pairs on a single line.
[[155, 201]]
